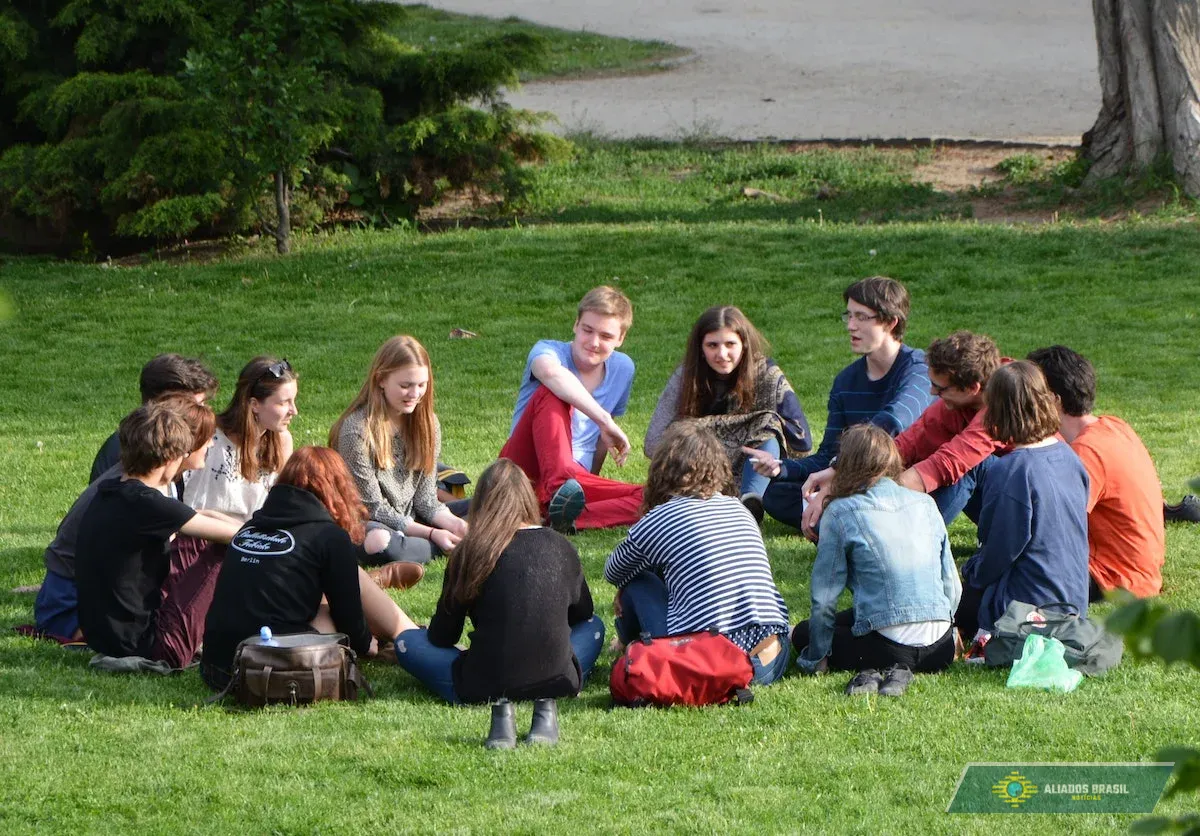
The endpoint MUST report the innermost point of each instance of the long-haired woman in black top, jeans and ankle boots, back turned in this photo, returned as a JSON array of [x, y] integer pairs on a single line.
[[536, 635]]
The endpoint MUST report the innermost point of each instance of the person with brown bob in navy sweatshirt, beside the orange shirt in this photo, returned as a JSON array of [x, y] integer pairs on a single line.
[[1034, 519]]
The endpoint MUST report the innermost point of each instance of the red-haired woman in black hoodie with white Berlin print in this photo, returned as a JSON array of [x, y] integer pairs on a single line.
[[295, 568]]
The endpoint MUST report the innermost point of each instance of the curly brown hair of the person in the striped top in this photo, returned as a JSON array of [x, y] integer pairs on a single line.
[[689, 462]]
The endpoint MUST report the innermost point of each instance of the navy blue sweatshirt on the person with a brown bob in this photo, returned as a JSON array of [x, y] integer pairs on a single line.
[[1033, 533]]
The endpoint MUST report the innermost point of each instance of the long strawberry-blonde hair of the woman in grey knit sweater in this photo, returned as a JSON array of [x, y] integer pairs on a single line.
[[416, 430]]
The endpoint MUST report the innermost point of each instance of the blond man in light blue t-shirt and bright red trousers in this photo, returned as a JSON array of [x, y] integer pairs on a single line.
[[565, 424]]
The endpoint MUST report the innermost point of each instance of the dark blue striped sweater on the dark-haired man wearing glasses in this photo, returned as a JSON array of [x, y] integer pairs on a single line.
[[893, 402]]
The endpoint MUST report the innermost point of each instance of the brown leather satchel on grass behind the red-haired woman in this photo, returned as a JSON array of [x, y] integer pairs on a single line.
[[296, 670]]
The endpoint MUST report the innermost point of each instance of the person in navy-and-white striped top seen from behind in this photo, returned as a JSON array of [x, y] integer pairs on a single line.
[[697, 561]]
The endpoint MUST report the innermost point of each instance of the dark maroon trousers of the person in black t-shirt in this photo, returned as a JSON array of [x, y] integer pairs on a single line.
[[187, 597]]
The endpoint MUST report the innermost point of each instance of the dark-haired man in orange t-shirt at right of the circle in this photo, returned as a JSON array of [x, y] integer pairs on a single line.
[[1125, 507]]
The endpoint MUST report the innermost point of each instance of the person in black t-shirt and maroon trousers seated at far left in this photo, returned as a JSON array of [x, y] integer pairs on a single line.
[[135, 600]]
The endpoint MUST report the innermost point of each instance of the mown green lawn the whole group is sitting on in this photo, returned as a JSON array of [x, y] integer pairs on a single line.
[[121, 755]]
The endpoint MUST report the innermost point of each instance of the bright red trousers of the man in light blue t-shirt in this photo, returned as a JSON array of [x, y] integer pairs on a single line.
[[542, 447]]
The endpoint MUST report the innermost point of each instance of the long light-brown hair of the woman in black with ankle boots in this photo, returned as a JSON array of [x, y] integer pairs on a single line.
[[505, 502]]
